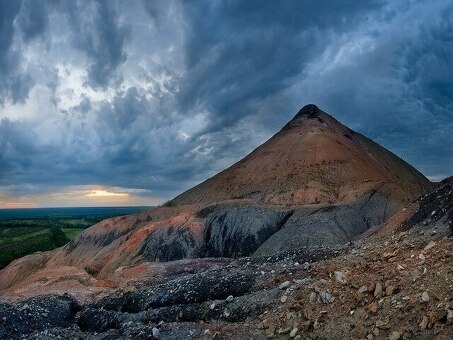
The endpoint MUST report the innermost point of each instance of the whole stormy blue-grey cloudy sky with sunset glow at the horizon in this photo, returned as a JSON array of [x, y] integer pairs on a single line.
[[131, 102]]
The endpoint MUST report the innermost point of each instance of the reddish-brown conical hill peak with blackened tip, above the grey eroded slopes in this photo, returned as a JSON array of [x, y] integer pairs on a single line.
[[313, 159]]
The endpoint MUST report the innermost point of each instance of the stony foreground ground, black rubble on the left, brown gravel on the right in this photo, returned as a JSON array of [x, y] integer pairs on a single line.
[[396, 282]]
